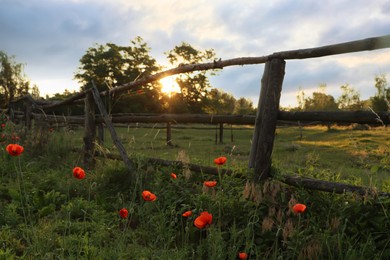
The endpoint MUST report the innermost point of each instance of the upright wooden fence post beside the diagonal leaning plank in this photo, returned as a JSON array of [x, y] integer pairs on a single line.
[[89, 131]]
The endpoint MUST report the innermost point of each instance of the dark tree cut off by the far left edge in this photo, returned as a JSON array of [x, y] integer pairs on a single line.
[[12, 79]]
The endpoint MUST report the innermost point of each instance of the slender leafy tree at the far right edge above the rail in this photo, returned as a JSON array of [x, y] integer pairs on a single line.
[[380, 102]]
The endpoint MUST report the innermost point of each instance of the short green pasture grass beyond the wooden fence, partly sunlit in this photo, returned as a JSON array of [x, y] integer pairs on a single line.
[[353, 156]]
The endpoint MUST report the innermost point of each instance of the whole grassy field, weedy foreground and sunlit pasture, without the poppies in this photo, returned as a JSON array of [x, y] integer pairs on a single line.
[[47, 213]]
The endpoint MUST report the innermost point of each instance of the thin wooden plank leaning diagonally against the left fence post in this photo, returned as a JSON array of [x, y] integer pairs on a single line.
[[114, 137]]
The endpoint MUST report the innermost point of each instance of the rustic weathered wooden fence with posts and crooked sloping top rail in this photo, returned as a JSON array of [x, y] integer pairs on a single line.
[[265, 120]]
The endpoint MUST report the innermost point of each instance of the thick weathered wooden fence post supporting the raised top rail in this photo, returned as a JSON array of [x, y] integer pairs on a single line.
[[266, 117]]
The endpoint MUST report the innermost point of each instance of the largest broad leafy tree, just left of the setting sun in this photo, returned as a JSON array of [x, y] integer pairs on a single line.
[[111, 65]]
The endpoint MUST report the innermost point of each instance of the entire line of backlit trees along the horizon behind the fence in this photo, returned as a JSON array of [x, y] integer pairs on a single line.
[[110, 65]]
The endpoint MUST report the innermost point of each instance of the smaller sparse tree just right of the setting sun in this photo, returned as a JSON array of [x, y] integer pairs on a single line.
[[194, 86]]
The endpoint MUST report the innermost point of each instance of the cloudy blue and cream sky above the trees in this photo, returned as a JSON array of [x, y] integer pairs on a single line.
[[50, 37]]
